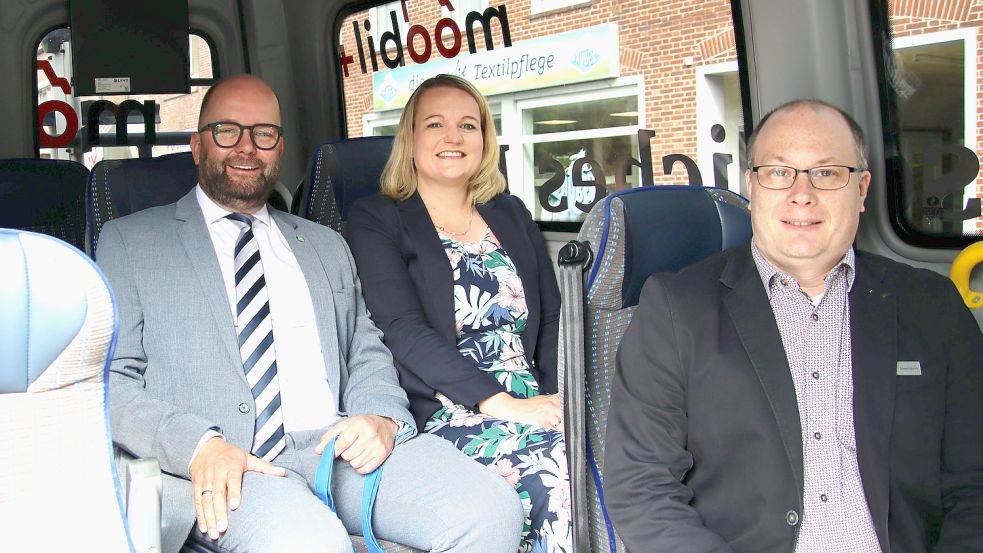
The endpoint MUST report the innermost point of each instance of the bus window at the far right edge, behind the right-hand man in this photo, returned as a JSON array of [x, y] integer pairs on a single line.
[[934, 77]]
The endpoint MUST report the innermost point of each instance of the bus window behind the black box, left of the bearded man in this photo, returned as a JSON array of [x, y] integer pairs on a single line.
[[64, 133]]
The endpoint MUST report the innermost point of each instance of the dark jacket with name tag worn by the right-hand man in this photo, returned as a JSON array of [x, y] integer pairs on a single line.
[[704, 450]]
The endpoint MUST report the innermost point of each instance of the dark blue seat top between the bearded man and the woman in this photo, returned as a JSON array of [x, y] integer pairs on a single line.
[[342, 172]]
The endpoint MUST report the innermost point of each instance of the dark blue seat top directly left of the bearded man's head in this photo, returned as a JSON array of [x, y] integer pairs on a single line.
[[118, 187]]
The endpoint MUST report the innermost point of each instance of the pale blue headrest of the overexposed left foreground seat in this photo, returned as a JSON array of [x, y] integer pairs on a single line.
[[42, 308]]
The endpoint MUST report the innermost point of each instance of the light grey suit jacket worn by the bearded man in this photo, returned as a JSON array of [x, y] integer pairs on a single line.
[[177, 373]]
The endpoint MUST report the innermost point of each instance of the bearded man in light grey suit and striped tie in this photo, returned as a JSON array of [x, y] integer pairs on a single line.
[[245, 346]]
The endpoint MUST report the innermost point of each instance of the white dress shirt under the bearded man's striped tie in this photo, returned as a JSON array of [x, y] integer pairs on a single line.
[[306, 398]]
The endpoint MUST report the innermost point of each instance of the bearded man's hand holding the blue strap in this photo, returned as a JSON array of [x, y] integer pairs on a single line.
[[364, 441]]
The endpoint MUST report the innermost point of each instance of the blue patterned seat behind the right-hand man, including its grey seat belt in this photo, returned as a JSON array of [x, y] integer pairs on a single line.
[[634, 233]]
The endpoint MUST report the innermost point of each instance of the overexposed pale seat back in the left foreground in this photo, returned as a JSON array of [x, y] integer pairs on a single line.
[[57, 334]]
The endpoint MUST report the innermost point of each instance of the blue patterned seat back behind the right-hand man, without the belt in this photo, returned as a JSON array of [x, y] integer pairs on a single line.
[[634, 234]]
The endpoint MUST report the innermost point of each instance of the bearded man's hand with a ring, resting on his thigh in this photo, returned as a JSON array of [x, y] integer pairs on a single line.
[[216, 473]]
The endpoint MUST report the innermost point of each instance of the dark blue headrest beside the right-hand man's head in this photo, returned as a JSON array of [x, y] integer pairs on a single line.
[[666, 228]]
